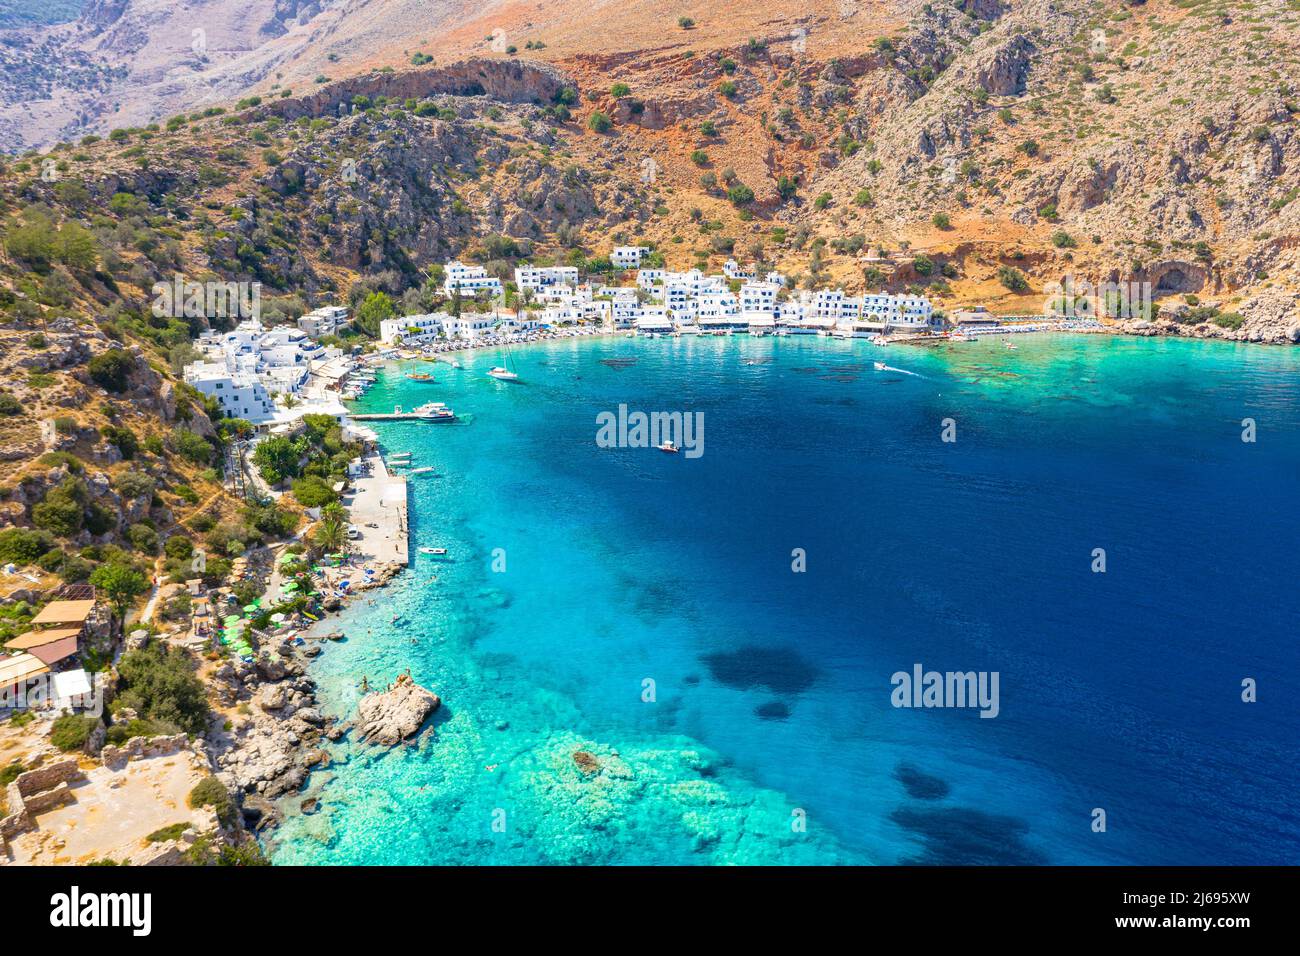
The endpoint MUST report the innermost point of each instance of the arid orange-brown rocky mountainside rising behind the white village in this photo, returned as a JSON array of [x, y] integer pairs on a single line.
[[978, 150]]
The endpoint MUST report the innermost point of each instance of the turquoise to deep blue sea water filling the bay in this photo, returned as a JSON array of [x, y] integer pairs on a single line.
[[768, 736]]
